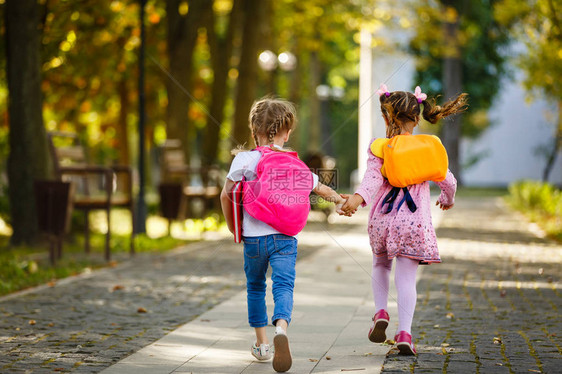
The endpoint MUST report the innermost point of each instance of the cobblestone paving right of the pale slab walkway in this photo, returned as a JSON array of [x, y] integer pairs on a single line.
[[488, 324]]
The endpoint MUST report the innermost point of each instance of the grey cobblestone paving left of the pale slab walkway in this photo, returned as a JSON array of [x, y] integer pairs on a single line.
[[75, 320]]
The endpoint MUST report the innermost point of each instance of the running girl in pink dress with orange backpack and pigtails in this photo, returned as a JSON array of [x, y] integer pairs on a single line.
[[398, 171]]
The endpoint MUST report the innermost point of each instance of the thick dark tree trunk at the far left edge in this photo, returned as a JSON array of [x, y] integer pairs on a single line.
[[28, 158]]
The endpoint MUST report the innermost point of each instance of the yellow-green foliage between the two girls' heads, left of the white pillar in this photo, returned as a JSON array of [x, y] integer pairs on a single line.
[[330, 29]]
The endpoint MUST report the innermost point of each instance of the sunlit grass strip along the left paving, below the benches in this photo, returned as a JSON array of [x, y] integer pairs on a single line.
[[27, 266]]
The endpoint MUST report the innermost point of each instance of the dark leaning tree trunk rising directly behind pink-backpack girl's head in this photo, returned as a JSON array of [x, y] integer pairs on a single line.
[[248, 69]]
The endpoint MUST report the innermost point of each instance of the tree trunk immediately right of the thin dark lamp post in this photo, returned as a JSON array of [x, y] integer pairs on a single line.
[[181, 39]]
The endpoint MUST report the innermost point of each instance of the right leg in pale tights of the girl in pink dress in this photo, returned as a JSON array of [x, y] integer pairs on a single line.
[[405, 280]]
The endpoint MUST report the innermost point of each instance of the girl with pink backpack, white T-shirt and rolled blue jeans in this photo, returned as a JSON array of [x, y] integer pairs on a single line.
[[276, 190]]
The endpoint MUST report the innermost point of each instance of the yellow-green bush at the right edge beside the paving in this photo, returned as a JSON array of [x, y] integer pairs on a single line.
[[542, 202]]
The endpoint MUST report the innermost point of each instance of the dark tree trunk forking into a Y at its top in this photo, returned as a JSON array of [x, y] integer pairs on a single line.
[[221, 54]]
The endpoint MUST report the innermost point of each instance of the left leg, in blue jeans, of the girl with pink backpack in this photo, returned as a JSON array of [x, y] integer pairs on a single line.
[[255, 267]]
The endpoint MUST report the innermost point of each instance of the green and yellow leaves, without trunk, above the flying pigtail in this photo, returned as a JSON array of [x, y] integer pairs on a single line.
[[482, 42]]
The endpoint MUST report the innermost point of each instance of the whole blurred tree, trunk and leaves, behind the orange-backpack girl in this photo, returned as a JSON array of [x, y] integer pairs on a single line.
[[459, 47]]
